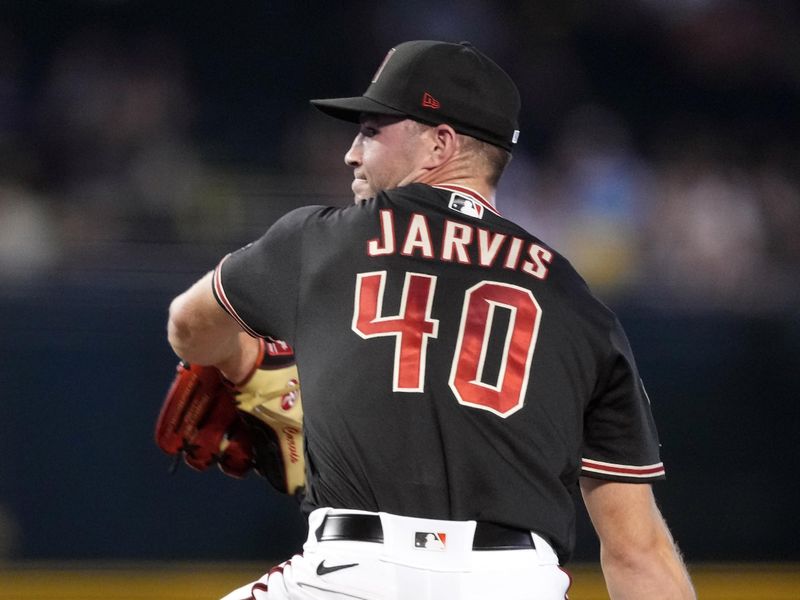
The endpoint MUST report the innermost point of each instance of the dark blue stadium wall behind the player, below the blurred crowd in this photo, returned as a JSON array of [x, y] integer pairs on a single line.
[[83, 369]]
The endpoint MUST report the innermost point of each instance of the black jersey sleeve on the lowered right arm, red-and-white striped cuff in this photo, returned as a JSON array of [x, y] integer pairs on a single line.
[[620, 440]]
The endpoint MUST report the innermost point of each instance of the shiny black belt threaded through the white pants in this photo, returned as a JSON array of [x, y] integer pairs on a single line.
[[367, 528]]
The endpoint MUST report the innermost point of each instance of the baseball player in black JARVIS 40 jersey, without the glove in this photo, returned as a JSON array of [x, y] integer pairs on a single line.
[[459, 379]]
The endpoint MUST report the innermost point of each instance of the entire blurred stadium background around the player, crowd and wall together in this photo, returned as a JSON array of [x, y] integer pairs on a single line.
[[141, 140]]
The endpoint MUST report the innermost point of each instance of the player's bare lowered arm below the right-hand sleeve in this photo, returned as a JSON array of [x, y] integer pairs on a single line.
[[637, 553]]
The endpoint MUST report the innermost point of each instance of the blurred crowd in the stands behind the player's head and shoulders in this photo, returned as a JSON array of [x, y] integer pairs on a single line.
[[659, 149]]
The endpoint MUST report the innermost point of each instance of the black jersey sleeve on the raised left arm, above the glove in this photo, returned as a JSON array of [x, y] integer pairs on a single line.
[[258, 285]]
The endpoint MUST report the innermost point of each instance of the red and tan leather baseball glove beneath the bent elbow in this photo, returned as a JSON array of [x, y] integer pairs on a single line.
[[257, 424]]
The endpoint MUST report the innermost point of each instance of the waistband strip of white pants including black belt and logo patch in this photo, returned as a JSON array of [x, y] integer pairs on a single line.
[[358, 526]]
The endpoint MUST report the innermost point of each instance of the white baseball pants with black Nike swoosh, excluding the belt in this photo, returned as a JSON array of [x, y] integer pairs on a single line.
[[418, 559]]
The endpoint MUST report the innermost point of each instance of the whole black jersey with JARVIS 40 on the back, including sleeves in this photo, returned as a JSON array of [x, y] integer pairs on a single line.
[[453, 366]]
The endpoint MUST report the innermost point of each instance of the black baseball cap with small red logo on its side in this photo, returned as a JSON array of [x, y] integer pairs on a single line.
[[439, 82]]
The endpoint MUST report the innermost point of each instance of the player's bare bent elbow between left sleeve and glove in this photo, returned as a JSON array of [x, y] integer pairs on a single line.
[[201, 332]]
